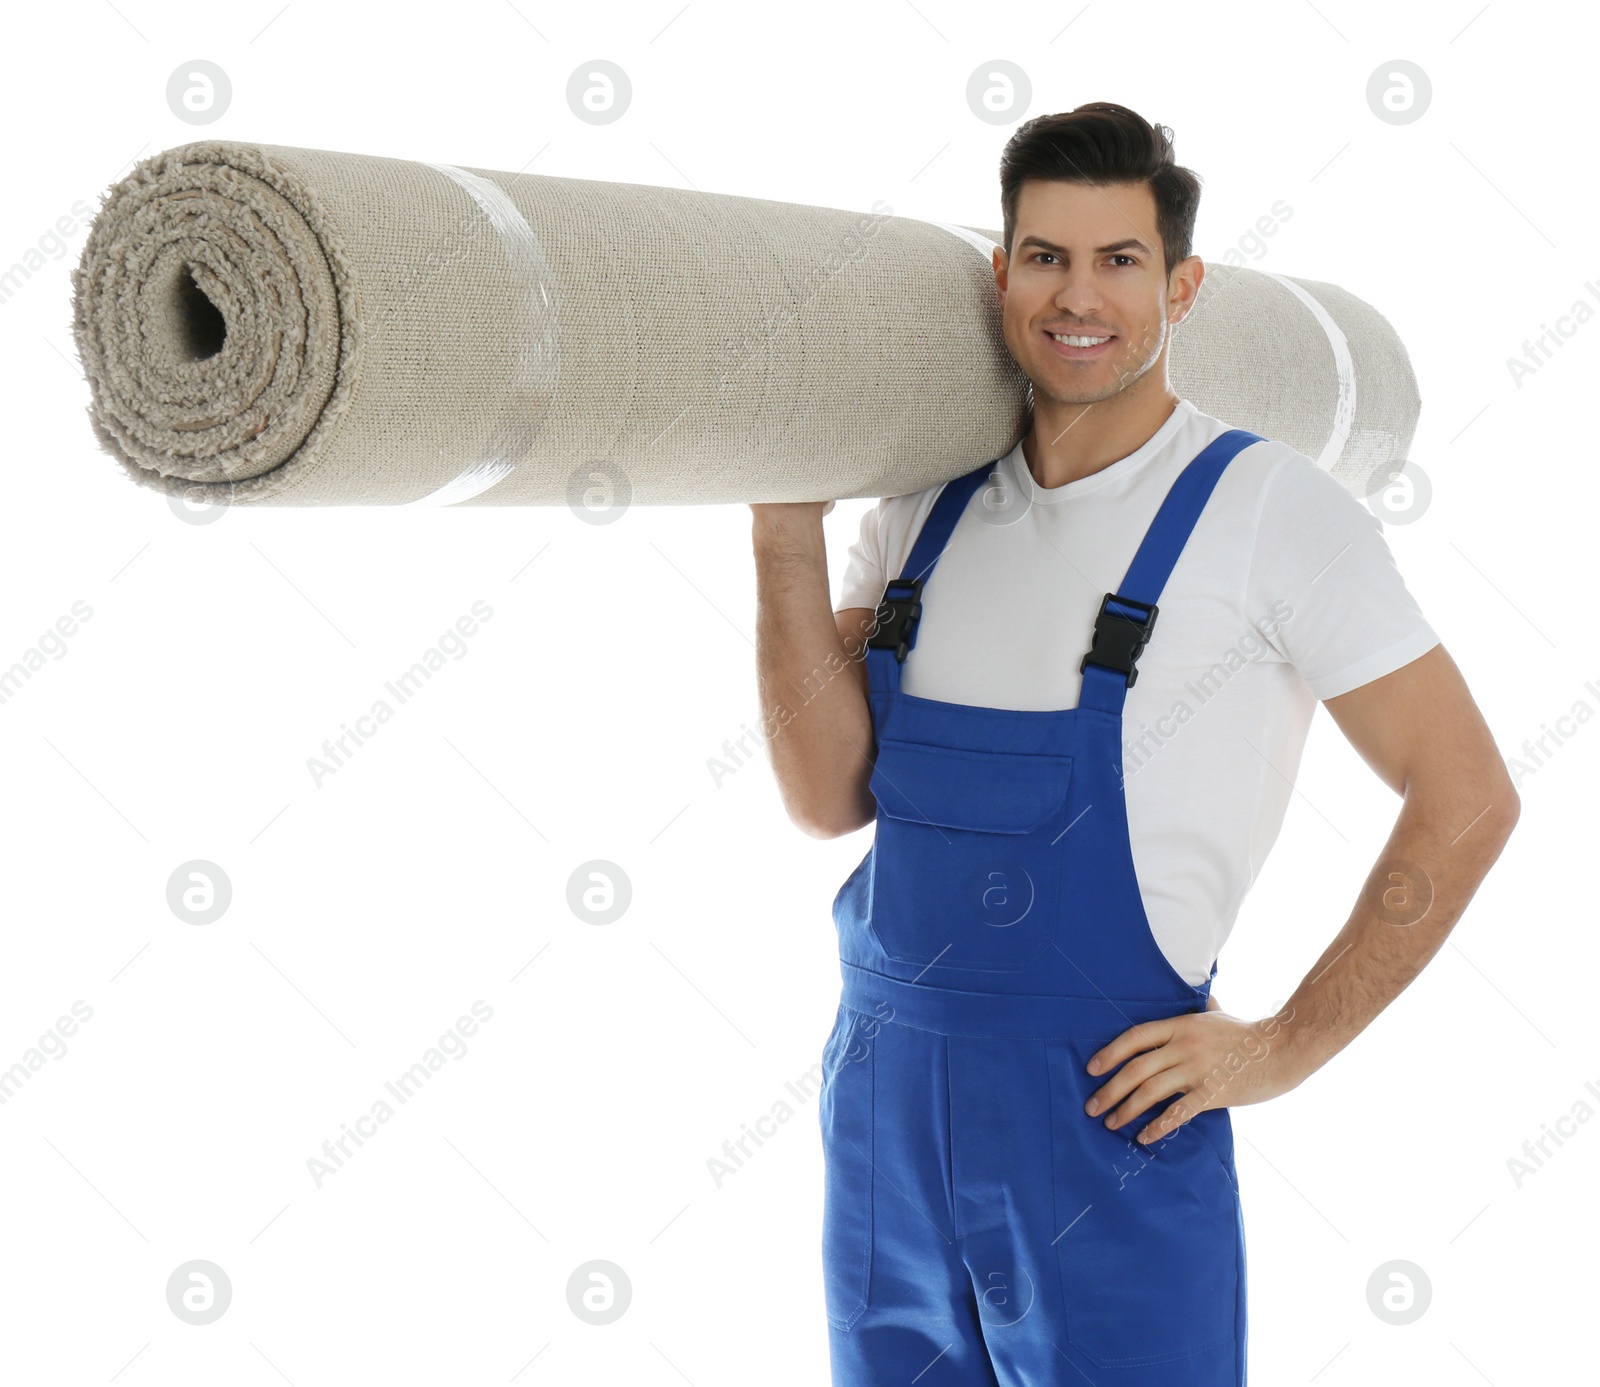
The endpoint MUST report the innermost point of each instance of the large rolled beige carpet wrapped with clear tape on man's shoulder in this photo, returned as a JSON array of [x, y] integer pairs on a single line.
[[265, 326]]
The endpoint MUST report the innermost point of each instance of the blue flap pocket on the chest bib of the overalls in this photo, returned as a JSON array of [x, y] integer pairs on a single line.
[[967, 857]]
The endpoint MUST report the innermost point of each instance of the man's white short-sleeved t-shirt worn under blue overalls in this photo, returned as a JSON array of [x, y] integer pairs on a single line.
[[1286, 594]]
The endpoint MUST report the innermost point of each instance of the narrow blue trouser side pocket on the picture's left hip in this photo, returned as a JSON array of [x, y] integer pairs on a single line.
[[846, 1113]]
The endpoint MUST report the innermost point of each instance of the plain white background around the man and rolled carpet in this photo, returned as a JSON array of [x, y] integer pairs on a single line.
[[369, 914]]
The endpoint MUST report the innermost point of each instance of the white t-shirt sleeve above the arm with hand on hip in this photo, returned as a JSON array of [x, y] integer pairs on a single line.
[[1343, 615]]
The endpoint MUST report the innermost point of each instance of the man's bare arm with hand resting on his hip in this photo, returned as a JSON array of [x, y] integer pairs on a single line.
[[1422, 732]]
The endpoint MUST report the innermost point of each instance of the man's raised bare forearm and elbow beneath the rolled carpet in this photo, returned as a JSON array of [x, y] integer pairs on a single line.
[[812, 674]]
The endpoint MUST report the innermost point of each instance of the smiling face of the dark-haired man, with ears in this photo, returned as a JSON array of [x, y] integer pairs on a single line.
[[1089, 262]]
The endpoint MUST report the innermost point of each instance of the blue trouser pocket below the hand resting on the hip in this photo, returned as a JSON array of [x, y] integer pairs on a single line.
[[1153, 1252]]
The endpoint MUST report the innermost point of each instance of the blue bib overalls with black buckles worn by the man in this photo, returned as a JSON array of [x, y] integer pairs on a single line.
[[978, 1226]]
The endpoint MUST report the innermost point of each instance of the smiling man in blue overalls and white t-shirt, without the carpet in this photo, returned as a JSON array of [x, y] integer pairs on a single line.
[[1030, 1162]]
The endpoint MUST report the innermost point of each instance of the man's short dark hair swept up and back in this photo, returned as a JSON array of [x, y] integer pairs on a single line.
[[1103, 143]]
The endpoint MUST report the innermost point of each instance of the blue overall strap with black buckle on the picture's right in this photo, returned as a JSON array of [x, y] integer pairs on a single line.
[[1129, 615]]
